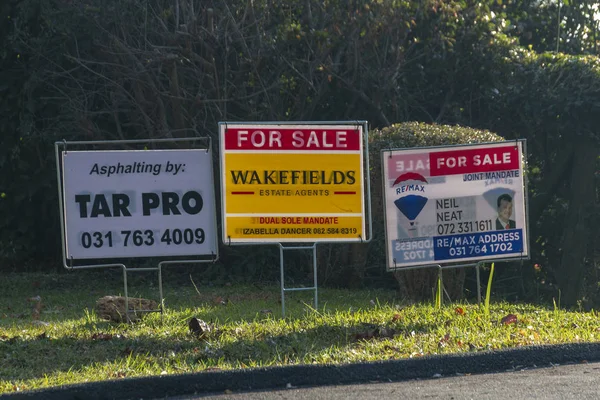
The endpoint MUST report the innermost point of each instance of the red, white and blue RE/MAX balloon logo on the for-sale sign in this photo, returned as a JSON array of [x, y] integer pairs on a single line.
[[410, 186]]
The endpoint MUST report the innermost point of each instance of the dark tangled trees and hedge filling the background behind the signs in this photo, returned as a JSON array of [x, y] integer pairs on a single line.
[[156, 69]]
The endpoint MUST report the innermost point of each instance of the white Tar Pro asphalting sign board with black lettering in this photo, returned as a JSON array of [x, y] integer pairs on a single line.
[[120, 204]]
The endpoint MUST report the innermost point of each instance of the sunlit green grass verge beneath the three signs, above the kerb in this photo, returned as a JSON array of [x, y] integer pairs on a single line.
[[69, 344]]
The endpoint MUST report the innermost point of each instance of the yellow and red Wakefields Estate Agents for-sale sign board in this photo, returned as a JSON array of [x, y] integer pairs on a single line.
[[292, 183]]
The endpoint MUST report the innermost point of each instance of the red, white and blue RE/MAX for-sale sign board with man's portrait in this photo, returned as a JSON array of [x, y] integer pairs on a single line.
[[454, 204]]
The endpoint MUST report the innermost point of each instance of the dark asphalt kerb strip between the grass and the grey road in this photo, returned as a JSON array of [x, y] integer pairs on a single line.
[[168, 386]]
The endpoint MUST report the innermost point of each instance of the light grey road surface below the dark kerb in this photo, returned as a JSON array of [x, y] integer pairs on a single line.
[[575, 381]]
